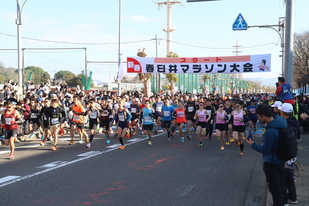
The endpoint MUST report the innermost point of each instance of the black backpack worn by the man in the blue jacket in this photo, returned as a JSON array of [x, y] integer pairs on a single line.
[[288, 141]]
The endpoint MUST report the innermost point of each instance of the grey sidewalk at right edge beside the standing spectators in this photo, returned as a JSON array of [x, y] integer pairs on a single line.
[[302, 183]]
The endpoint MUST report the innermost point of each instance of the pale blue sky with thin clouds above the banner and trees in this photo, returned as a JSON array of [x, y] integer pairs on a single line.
[[202, 29]]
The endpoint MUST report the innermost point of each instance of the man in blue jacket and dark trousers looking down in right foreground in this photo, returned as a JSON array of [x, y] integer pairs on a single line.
[[273, 167]]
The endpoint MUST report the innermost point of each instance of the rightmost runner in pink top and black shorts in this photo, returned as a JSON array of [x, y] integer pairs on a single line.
[[239, 118]]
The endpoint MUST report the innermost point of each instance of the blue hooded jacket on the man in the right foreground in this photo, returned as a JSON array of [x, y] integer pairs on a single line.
[[271, 140]]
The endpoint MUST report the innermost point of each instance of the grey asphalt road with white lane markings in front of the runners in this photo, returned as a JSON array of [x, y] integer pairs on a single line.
[[166, 173]]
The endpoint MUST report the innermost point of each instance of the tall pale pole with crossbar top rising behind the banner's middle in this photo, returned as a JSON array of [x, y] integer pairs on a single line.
[[168, 28]]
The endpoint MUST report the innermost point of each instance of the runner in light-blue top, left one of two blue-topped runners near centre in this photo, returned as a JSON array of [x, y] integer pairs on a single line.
[[147, 116]]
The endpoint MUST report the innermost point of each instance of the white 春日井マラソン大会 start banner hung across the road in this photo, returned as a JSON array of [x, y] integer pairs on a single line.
[[220, 65]]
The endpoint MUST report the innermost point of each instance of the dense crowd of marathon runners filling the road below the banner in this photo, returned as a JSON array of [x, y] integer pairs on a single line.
[[47, 113]]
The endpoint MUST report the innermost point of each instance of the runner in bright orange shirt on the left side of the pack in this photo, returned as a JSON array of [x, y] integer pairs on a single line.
[[78, 120]]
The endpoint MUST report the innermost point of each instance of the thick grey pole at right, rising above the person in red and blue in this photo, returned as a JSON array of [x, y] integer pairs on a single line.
[[289, 40]]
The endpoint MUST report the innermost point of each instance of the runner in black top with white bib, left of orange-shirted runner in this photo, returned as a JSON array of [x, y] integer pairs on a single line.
[[55, 116]]
